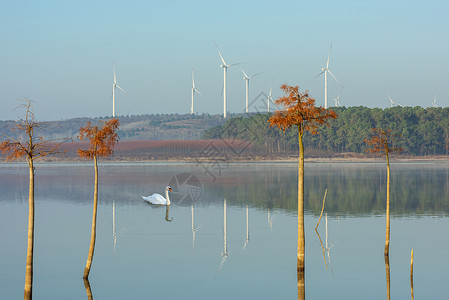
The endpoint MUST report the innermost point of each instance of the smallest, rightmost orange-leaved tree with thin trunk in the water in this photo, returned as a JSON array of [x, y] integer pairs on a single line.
[[382, 142]]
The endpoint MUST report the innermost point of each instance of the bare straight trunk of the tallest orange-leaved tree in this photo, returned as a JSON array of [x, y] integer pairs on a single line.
[[301, 237]]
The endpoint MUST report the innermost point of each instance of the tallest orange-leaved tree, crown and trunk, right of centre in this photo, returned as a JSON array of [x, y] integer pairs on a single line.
[[300, 111]]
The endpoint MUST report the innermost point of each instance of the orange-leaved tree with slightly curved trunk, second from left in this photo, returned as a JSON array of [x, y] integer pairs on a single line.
[[102, 138]]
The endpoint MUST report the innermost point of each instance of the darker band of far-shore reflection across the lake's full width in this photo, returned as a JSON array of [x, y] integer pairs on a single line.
[[353, 188]]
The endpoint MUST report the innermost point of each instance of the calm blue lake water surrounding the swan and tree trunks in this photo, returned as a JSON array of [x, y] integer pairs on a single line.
[[230, 232]]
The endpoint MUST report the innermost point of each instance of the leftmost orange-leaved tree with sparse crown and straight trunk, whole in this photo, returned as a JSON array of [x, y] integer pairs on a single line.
[[30, 146]]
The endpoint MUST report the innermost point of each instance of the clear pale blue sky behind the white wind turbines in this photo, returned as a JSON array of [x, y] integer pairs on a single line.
[[61, 54]]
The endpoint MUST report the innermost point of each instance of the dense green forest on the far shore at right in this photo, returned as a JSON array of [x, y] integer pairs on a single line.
[[422, 131]]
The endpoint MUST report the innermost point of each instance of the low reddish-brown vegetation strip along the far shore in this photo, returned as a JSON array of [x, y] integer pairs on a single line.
[[210, 150]]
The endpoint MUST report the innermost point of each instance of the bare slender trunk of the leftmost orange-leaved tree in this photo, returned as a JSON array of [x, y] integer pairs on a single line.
[[28, 292]]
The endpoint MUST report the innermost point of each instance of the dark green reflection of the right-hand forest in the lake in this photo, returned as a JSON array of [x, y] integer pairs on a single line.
[[354, 191]]
